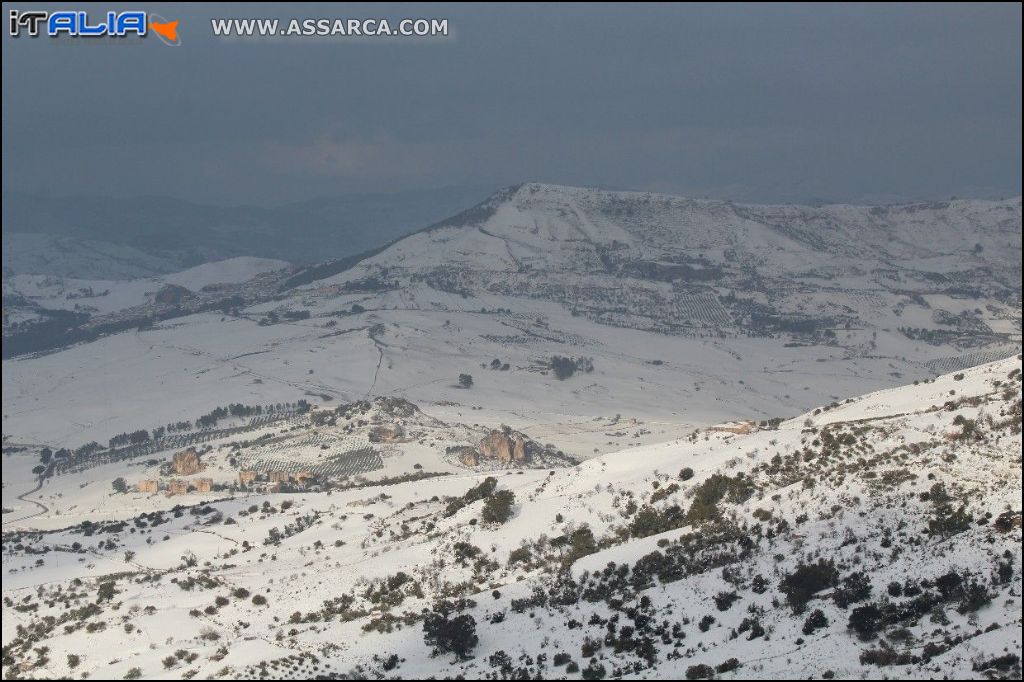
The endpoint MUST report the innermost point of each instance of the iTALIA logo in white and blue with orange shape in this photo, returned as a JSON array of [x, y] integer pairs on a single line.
[[82, 25]]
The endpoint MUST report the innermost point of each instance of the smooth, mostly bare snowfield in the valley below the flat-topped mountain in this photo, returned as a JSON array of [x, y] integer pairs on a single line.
[[187, 367]]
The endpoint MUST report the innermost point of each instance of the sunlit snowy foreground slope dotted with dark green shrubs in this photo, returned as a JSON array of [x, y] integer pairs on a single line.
[[880, 537]]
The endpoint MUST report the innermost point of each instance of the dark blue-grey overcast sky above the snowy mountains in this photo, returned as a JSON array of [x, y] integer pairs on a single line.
[[777, 104]]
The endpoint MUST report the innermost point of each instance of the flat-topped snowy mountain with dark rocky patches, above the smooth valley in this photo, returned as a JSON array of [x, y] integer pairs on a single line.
[[678, 266]]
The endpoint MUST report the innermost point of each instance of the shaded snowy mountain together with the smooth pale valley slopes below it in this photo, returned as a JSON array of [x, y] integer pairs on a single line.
[[685, 312]]
